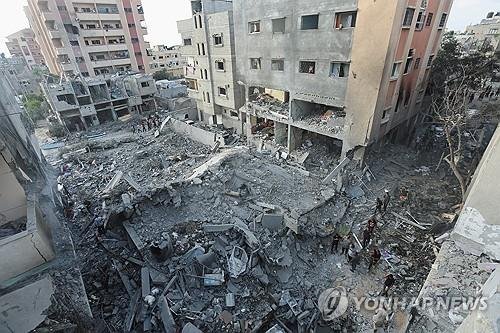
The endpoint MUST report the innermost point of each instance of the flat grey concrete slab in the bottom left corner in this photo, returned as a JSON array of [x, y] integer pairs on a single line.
[[24, 309]]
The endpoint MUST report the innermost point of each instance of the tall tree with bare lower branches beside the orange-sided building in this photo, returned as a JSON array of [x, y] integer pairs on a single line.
[[456, 77]]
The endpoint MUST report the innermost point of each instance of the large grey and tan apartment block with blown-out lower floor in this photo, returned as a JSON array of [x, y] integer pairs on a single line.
[[346, 72]]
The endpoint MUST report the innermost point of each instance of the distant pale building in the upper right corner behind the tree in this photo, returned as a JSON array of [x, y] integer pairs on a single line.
[[485, 32]]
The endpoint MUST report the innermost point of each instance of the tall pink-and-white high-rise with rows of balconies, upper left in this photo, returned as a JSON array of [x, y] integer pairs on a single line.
[[90, 37]]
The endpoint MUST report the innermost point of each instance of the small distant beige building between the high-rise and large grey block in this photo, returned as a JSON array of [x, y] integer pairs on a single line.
[[168, 59]]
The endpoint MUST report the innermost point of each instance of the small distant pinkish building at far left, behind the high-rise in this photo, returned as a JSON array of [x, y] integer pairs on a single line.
[[23, 44]]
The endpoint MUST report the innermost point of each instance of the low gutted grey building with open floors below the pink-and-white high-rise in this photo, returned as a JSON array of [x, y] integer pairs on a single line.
[[85, 102]]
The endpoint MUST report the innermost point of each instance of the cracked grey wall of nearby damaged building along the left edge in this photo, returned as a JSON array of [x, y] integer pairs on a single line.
[[34, 247]]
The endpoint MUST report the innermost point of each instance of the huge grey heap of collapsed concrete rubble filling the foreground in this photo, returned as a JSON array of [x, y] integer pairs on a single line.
[[171, 235]]
